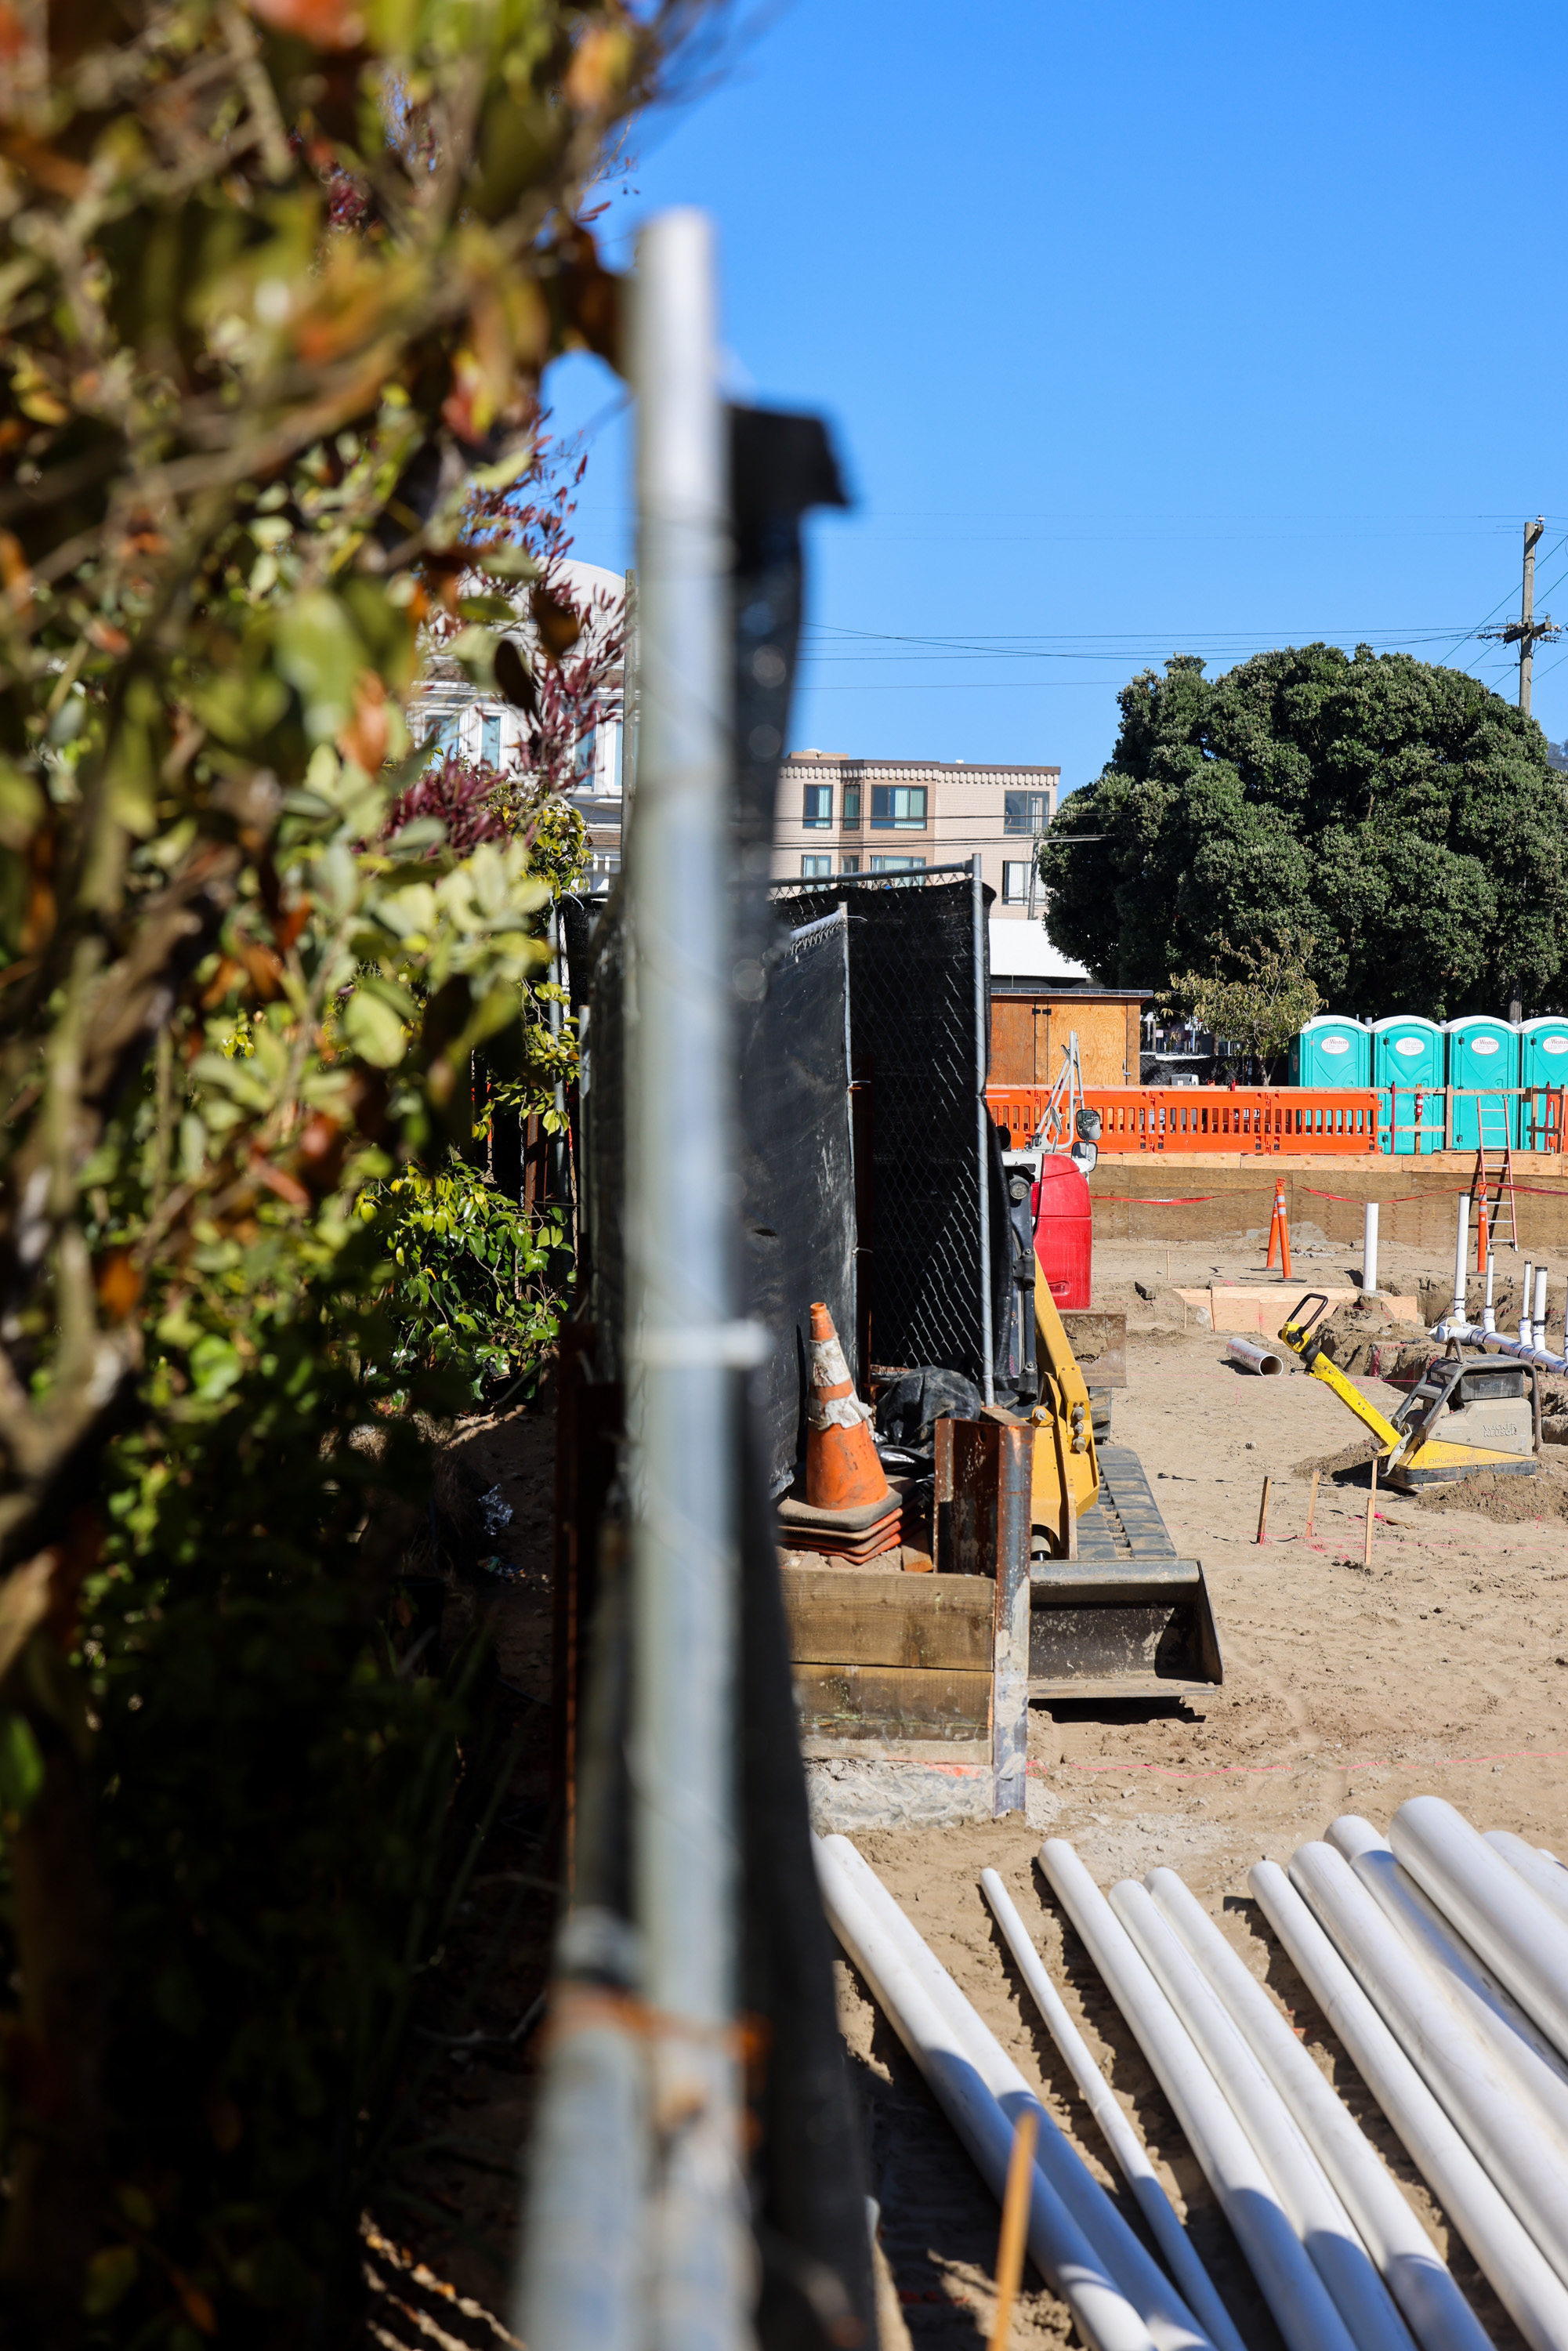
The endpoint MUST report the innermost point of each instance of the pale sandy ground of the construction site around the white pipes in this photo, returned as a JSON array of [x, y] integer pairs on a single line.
[[1445, 1668]]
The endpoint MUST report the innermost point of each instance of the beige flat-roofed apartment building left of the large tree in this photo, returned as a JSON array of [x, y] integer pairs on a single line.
[[859, 817]]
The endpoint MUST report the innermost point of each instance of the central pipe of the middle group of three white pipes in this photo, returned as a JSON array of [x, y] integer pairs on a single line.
[[1299, 2178]]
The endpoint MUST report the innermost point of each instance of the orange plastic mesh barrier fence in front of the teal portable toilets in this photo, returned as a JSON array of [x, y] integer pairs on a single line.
[[1329, 1120]]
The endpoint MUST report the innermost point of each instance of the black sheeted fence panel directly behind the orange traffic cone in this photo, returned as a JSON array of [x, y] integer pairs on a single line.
[[798, 1174]]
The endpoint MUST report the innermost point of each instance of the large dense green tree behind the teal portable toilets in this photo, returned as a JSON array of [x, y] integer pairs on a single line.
[[1395, 819]]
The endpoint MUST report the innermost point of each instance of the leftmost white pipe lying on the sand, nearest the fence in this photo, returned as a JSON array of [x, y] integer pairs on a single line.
[[1057, 2244]]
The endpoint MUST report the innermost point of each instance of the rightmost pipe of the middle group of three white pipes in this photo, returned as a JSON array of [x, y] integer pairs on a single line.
[[1421, 2284]]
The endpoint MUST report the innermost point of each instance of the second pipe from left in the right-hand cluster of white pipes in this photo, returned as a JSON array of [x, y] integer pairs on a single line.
[[1456, 2063]]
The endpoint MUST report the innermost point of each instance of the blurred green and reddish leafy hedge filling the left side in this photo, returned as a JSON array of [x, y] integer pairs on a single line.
[[274, 304]]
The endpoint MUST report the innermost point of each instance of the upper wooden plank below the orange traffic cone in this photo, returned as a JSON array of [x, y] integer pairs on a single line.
[[855, 1616]]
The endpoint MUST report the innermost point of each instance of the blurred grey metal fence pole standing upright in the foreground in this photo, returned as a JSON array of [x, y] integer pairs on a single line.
[[683, 1337]]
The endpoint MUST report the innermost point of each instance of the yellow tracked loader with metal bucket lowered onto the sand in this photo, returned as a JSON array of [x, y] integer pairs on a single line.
[[1113, 1609]]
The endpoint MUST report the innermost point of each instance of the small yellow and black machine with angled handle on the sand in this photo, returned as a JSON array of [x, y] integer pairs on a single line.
[[1466, 1414]]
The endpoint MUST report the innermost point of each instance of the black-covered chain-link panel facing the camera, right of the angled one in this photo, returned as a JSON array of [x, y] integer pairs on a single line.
[[913, 1033]]
